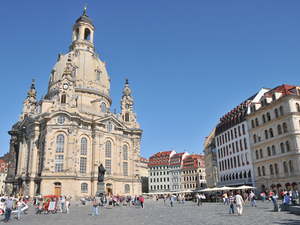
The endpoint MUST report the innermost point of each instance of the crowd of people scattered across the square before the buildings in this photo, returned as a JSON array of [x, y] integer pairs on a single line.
[[233, 200]]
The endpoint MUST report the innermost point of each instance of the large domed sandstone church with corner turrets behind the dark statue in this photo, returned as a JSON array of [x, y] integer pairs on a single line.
[[59, 142]]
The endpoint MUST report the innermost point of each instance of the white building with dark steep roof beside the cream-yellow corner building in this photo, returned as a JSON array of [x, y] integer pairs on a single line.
[[233, 146]]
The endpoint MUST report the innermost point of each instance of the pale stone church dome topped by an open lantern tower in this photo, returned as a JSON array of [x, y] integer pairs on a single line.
[[88, 71]]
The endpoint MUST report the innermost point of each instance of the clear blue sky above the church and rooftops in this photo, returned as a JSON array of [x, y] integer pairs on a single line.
[[188, 62]]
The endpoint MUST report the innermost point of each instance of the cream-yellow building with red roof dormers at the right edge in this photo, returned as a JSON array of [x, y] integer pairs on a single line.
[[274, 131]]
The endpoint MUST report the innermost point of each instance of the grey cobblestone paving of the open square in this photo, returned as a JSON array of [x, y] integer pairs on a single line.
[[158, 213]]
